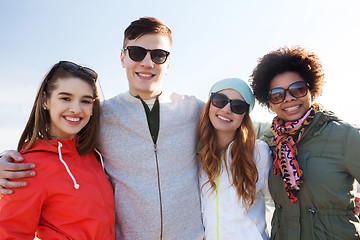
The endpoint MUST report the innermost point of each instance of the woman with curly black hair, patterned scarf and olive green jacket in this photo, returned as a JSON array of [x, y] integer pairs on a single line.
[[316, 155]]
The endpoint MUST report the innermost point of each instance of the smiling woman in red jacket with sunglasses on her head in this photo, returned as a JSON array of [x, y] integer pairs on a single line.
[[70, 197]]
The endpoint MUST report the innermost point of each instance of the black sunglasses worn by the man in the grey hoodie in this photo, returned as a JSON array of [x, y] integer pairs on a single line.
[[137, 54]]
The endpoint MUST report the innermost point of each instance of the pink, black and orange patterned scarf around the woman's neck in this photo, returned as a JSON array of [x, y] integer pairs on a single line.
[[287, 134]]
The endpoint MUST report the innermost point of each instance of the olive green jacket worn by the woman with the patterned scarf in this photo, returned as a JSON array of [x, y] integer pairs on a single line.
[[329, 155]]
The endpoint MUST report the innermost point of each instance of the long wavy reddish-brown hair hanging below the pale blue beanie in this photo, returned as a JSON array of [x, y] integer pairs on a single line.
[[243, 168]]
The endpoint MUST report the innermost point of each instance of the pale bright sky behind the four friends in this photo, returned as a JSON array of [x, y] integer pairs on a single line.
[[212, 40]]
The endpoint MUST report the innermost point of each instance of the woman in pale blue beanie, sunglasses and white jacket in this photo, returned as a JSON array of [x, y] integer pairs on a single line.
[[234, 166]]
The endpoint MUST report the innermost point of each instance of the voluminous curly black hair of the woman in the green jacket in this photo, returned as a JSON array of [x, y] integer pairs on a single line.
[[286, 59]]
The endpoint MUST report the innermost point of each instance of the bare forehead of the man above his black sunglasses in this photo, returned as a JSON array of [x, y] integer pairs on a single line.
[[151, 41]]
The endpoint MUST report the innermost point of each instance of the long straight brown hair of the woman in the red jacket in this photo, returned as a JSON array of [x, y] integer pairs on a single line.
[[39, 120]]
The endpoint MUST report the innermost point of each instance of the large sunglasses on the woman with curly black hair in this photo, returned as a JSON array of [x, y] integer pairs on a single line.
[[297, 90]]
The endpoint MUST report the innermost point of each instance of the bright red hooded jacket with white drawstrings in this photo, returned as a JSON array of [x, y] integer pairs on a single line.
[[69, 198]]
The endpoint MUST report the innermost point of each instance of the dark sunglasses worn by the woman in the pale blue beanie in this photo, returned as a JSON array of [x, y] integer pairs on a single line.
[[237, 106]]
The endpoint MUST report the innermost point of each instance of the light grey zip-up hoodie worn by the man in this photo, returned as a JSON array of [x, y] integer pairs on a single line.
[[156, 186]]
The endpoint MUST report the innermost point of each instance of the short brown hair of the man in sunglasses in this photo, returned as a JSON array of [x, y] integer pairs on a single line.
[[143, 26]]
